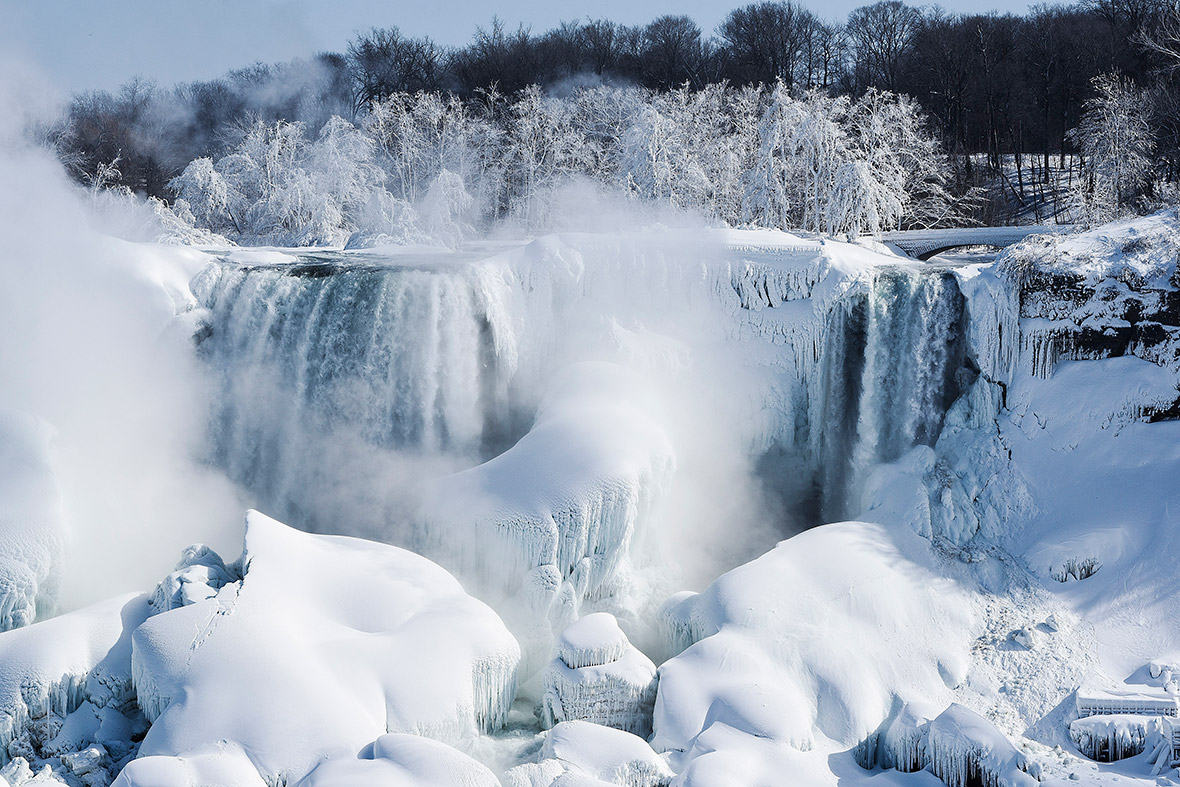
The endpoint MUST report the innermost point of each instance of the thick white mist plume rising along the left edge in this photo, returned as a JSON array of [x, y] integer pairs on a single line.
[[86, 346]]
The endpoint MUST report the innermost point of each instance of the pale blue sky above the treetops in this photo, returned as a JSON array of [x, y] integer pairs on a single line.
[[100, 44]]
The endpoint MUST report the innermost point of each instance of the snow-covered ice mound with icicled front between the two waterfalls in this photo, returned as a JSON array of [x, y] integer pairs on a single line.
[[553, 523]]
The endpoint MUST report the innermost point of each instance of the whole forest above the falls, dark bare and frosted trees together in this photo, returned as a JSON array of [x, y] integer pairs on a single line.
[[896, 117]]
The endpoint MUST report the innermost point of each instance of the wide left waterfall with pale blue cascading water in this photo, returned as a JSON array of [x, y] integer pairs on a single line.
[[331, 372]]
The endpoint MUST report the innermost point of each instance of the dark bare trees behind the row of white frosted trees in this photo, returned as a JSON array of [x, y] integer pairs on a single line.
[[1006, 95]]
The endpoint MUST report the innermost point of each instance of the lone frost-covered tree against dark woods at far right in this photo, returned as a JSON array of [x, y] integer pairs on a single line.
[[1117, 142]]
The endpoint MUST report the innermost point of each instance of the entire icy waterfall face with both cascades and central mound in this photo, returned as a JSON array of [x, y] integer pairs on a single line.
[[414, 359]]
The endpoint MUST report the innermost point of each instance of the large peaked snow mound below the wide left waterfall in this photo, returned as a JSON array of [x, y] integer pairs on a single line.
[[324, 645]]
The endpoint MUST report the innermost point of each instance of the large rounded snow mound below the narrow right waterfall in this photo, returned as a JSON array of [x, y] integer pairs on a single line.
[[808, 646]]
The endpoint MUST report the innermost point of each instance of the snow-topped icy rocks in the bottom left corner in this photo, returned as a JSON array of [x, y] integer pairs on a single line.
[[67, 697]]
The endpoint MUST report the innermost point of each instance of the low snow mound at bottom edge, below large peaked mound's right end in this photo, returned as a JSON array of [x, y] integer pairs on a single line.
[[401, 760]]
